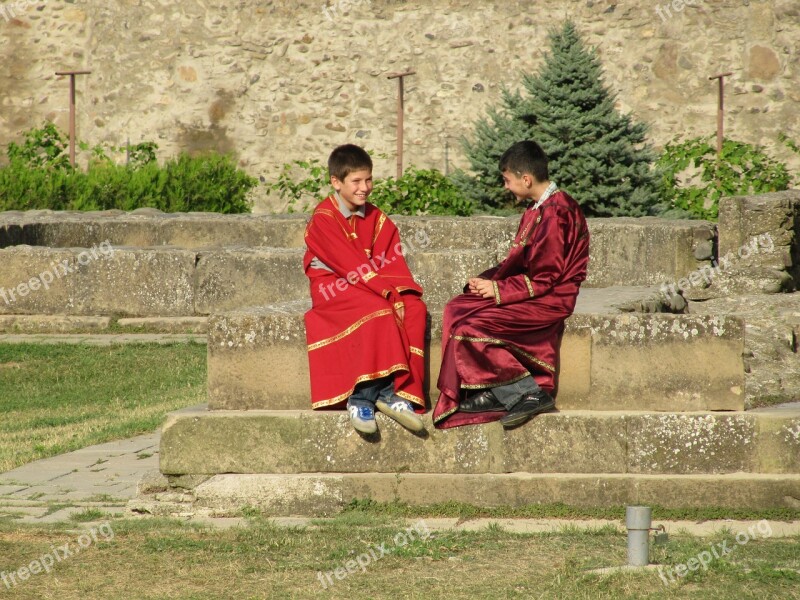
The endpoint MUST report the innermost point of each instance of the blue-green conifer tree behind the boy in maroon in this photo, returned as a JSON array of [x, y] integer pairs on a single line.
[[596, 154]]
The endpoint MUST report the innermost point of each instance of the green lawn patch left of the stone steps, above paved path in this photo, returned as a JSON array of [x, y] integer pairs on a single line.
[[60, 397]]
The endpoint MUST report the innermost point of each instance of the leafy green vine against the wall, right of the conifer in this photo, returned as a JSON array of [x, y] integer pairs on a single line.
[[693, 179]]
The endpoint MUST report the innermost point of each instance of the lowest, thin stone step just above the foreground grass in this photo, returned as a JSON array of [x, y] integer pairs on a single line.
[[324, 494]]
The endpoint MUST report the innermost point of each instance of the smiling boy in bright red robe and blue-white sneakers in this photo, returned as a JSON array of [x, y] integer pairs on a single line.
[[366, 327]]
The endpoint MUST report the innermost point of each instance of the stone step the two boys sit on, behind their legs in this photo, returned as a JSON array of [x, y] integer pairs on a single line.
[[257, 359]]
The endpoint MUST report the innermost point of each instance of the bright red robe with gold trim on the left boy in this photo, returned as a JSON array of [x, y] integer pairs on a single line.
[[353, 330]]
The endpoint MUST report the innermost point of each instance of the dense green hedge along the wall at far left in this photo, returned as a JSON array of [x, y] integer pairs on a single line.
[[39, 176]]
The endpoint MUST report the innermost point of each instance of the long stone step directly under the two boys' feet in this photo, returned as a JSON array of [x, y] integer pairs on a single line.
[[197, 441]]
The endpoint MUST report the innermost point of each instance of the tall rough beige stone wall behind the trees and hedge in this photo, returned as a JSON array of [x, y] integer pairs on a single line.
[[276, 81]]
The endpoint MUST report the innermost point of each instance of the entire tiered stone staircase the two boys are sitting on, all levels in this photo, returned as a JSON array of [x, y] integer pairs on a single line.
[[651, 404]]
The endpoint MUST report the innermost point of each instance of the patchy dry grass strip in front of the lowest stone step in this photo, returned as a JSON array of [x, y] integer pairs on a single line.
[[157, 558]]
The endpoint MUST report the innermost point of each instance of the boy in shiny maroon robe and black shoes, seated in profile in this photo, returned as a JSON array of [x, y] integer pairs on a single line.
[[500, 338]]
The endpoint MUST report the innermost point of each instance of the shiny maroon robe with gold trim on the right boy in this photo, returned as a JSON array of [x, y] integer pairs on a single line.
[[497, 341]]
